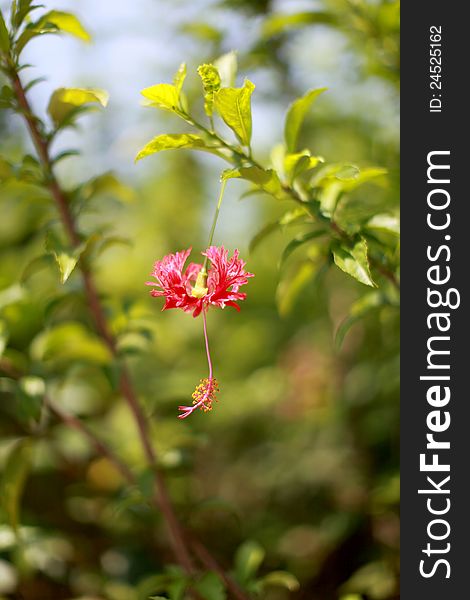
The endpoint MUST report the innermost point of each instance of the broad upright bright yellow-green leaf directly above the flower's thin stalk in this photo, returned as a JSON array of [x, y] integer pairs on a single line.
[[234, 106]]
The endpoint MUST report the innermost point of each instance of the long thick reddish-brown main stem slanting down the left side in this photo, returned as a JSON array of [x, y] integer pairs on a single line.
[[176, 536]]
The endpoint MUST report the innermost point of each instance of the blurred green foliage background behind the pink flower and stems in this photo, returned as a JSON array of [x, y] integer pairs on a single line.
[[294, 474]]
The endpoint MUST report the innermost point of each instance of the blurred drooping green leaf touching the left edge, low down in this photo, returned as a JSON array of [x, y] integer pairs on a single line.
[[13, 480]]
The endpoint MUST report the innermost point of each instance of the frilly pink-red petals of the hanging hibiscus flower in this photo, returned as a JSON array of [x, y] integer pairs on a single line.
[[195, 289]]
